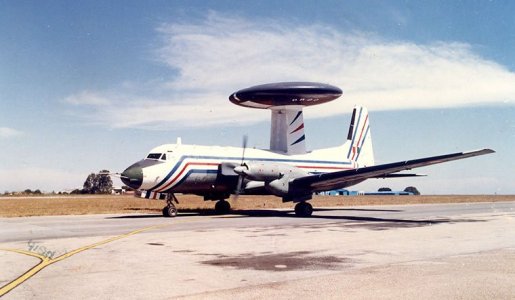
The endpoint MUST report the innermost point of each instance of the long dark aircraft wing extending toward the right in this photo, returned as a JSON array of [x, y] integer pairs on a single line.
[[341, 179]]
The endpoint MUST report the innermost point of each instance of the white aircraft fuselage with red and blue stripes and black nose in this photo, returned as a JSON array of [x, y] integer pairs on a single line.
[[208, 170]]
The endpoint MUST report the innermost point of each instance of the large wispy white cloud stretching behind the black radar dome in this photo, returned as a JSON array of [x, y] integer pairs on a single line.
[[220, 54]]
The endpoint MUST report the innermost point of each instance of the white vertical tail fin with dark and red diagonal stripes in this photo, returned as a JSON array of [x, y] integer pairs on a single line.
[[359, 139]]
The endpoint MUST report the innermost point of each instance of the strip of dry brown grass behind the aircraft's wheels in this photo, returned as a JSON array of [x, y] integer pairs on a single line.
[[80, 205]]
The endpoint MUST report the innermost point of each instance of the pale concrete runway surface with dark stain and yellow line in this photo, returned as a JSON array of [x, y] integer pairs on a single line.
[[424, 251]]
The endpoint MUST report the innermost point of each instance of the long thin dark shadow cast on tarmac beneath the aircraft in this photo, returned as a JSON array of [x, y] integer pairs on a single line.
[[376, 223]]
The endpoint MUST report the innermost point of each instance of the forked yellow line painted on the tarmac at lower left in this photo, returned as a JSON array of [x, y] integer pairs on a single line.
[[45, 261]]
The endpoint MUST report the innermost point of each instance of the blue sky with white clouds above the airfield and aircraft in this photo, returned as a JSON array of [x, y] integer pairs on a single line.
[[91, 85]]
